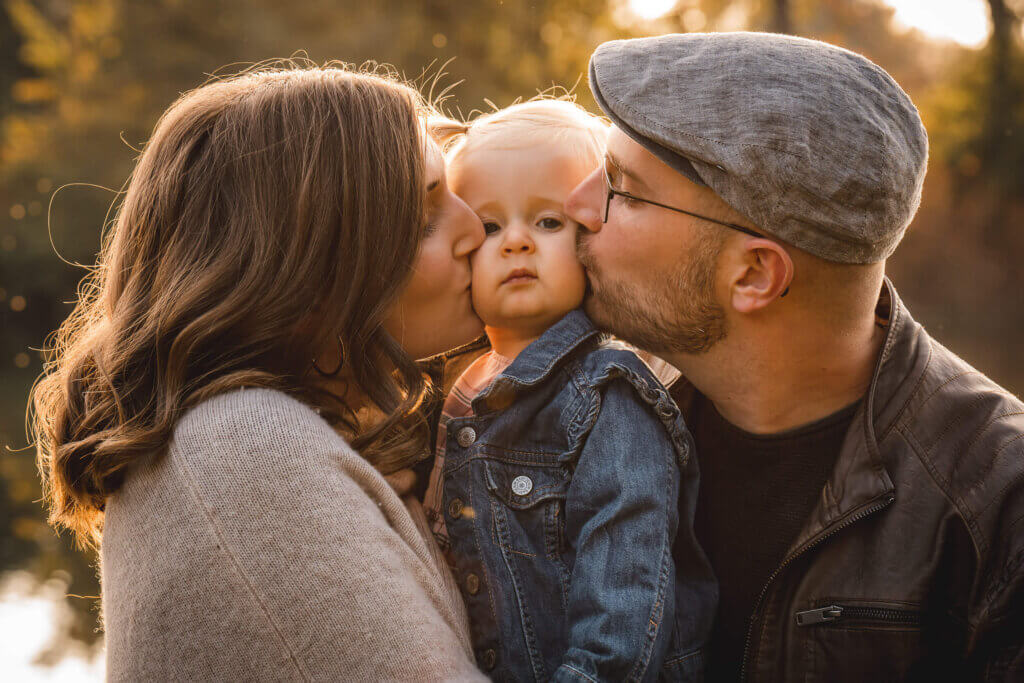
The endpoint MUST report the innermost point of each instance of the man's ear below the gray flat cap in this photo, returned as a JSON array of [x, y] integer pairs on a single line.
[[764, 276]]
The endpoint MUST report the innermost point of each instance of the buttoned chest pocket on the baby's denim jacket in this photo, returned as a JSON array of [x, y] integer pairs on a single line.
[[528, 507]]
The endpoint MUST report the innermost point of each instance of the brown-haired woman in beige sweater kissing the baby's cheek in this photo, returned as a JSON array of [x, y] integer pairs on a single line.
[[286, 246]]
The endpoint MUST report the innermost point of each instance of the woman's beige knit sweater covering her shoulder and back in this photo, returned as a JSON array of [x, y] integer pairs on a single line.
[[262, 547]]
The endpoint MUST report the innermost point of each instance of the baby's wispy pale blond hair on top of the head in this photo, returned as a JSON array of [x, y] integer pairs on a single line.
[[525, 124]]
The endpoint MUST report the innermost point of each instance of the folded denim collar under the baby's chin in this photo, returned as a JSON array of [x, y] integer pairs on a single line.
[[536, 362]]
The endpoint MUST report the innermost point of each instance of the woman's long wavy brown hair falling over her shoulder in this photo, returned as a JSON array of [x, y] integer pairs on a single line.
[[270, 214]]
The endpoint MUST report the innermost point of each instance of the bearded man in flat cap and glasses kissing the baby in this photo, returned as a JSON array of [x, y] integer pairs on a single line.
[[863, 488]]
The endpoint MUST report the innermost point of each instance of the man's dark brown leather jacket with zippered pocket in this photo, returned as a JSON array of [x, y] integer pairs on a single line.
[[912, 566]]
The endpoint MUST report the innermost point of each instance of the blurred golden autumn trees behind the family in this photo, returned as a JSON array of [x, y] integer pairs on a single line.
[[82, 82]]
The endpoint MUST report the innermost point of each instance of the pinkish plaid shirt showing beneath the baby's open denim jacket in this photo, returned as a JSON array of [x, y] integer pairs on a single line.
[[458, 404]]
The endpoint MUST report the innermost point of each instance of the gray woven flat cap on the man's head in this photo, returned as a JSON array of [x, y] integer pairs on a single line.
[[817, 145]]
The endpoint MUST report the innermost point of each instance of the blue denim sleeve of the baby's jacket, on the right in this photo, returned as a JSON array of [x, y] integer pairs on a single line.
[[621, 517]]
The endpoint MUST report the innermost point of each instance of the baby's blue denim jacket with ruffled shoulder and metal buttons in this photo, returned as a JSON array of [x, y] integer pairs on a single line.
[[561, 497]]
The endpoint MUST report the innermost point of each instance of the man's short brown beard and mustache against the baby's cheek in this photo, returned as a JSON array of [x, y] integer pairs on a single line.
[[676, 314]]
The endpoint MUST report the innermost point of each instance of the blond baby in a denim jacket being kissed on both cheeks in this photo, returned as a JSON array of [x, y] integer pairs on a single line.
[[565, 482]]
